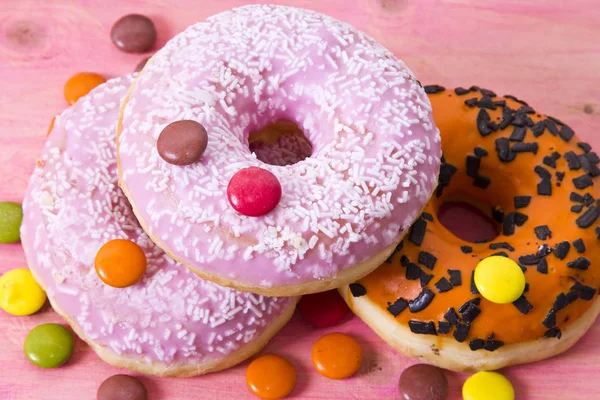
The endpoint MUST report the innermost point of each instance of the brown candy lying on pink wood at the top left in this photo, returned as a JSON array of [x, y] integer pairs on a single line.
[[134, 33]]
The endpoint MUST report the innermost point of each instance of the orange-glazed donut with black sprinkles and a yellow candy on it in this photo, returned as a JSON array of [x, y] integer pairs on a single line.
[[436, 298]]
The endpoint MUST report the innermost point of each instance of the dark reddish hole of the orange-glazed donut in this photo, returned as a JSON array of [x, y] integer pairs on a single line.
[[468, 220]]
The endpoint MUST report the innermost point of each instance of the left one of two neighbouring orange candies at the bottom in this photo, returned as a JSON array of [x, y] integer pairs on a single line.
[[271, 377]]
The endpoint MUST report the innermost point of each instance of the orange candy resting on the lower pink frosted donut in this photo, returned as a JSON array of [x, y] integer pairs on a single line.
[[120, 263]]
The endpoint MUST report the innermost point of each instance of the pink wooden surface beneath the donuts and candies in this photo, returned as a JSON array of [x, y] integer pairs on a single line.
[[546, 52]]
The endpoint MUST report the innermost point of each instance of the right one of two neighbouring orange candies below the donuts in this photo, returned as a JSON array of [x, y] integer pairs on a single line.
[[337, 356]]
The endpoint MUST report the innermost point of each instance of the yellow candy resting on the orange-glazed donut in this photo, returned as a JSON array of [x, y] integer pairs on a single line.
[[499, 279]]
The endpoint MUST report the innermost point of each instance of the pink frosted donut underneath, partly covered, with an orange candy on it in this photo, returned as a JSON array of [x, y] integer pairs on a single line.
[[169, 323]]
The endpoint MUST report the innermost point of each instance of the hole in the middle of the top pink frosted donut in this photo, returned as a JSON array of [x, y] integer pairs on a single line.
[[280, 143]]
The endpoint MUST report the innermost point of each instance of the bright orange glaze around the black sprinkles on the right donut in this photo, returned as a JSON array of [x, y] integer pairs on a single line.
[[457, 123]]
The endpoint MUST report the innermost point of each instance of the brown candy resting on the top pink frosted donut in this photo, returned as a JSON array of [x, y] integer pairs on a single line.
[[182, 142]]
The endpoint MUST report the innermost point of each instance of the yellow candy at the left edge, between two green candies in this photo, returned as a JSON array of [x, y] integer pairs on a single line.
[[20, 294]]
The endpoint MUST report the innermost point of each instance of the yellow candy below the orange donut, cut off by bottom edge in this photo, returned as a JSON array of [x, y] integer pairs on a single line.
[[488, 386]]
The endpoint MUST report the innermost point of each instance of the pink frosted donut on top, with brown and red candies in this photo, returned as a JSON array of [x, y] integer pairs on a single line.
[[375, 160]]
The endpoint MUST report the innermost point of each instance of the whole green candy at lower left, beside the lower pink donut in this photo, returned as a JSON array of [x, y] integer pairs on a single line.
[[49, 345]]
